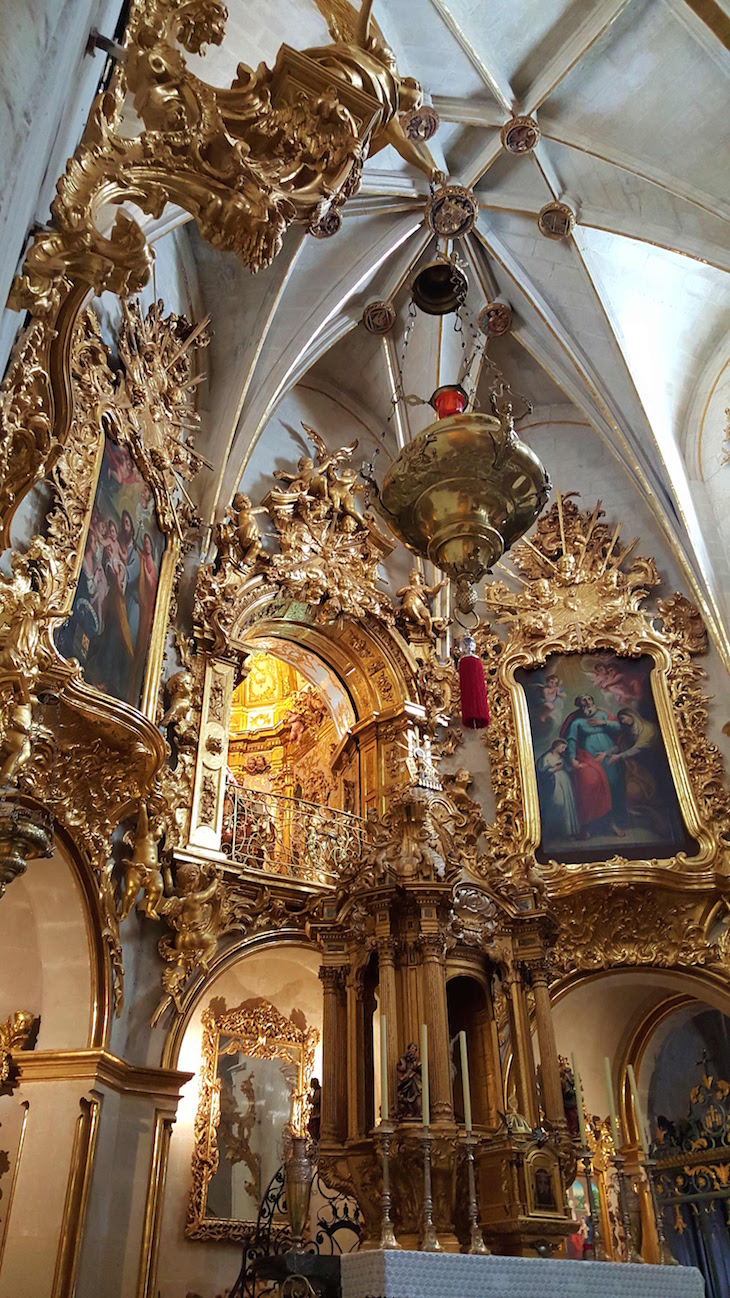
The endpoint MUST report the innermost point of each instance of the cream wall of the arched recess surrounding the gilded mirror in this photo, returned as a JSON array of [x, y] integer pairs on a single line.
[[285, 974]]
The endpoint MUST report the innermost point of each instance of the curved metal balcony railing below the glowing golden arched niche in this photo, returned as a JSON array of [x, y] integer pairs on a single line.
[[289, 837]]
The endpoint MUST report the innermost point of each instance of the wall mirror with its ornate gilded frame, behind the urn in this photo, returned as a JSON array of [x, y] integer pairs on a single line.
[[254, 1090]]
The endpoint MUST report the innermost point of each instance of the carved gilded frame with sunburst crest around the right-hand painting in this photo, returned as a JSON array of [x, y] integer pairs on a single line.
[[581, 590]]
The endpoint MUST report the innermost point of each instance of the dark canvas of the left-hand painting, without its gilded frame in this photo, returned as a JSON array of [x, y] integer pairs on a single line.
[[114, 611]]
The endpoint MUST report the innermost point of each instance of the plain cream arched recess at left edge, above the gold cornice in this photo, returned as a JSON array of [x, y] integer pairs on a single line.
[[51, 962]]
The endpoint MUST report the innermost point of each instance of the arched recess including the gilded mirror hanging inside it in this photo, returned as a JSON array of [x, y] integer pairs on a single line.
[[237, 1100]]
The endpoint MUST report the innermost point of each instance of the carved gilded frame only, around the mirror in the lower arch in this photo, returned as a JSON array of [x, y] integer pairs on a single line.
[[262, 1033]]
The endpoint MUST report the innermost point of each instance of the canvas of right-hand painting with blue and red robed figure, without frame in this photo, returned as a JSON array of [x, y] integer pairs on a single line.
[[605, 785]]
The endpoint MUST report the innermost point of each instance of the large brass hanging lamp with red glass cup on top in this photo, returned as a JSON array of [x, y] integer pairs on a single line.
[[464, 490]]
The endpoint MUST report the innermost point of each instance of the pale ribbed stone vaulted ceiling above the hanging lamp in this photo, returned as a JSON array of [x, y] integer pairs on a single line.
[[625, 323]]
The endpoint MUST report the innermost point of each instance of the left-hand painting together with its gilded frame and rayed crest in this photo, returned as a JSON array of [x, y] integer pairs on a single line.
[[127, 498]]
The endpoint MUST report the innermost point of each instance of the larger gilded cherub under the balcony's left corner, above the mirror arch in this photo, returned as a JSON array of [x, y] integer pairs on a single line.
[[193, 909]]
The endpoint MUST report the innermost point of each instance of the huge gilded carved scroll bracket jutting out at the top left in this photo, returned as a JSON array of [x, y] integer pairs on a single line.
[[281, 146]]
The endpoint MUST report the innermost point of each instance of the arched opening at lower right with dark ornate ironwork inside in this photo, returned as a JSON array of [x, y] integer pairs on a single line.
[[673, 1029]]
